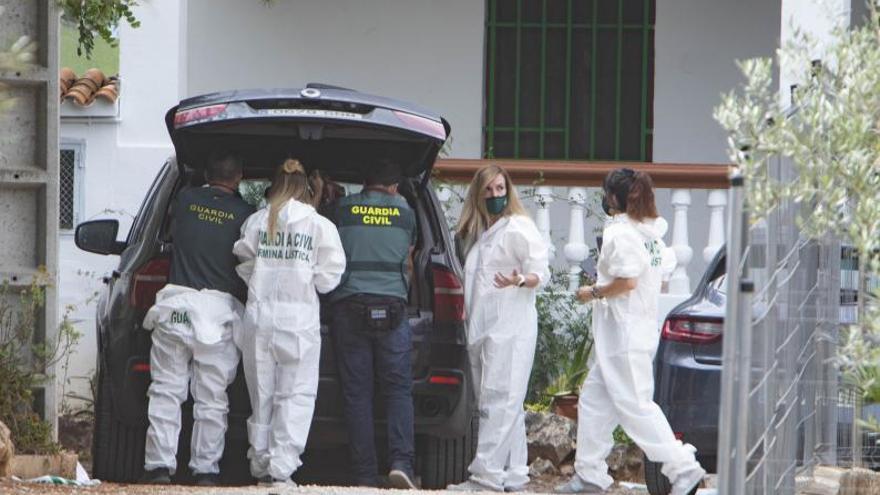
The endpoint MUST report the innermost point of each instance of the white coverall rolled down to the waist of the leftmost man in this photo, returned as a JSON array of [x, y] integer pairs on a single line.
[[192, 350]]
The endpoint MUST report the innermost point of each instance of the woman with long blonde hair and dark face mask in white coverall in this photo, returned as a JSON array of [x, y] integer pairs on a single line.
[[506, 261]]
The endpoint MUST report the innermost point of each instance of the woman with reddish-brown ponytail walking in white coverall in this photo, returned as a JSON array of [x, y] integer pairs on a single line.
[[619, 388]]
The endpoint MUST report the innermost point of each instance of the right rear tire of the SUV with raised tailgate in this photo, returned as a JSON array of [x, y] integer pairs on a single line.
[[444, 461]]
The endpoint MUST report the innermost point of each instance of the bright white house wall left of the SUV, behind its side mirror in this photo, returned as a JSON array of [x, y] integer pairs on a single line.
[[121, 160]]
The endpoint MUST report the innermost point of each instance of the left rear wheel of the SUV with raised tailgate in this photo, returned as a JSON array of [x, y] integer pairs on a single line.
[[117, 449]]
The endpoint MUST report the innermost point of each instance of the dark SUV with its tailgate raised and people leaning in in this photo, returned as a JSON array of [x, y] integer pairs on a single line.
[[340, 132]]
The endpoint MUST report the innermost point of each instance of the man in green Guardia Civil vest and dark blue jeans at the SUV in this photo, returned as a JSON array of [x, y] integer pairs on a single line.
[[369, 322]]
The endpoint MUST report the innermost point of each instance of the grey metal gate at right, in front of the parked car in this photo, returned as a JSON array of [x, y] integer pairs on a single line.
[[780, 392]]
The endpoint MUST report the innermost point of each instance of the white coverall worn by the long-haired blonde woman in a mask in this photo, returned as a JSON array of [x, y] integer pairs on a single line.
[[502, 332]]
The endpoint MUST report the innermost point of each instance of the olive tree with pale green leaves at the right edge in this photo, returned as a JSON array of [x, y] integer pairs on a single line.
[[831, 134]]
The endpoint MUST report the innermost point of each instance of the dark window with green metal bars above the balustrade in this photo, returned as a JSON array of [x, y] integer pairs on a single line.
[[569, 79]]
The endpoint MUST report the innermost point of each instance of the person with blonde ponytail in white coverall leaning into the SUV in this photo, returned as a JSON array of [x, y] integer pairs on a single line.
[[289, 254]]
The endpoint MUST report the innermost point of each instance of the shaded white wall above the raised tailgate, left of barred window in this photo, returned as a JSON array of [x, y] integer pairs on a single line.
[[428, 52]]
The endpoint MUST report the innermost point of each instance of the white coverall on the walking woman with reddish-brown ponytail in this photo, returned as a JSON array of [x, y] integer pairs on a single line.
[[619, 389]]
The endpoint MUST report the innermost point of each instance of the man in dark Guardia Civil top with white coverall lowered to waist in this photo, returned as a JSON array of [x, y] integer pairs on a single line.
[[192, 324]]
